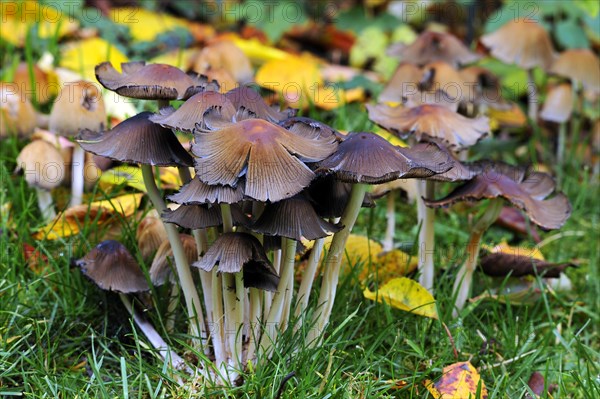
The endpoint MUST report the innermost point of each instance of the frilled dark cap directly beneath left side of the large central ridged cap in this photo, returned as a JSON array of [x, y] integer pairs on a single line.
[[197, 192]]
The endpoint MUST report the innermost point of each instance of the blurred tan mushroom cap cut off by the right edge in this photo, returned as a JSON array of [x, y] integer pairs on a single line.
[[579, 65]]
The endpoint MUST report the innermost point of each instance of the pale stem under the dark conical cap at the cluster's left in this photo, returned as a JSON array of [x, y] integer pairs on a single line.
[[192, 300]]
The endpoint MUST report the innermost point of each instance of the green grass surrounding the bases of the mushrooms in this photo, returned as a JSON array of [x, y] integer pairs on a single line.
[[61, 337]]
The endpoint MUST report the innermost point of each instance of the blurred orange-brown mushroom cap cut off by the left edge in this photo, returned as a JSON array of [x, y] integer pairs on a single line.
[[17, 115]]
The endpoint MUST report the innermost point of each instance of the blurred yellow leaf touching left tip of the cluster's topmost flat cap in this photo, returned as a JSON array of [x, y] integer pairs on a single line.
[[83, 56]]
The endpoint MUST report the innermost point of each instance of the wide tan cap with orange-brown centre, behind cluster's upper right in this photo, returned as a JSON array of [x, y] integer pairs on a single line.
[[431, 121]]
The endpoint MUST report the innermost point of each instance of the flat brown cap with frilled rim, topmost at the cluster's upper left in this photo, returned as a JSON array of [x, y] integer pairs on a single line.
[[152, 81]]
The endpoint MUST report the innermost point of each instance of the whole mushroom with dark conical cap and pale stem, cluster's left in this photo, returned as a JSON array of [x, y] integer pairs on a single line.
[[160, 148]]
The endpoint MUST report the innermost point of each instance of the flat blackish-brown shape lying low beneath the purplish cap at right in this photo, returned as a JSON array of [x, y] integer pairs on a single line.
[[501, 264]]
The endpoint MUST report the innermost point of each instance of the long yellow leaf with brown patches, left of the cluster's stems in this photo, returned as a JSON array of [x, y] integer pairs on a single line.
[[69, 222]]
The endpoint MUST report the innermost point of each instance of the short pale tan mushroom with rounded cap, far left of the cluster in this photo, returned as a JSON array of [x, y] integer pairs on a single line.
[[44, 169]]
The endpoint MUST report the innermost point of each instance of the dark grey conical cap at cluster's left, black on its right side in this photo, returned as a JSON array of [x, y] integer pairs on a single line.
[[137, 140]]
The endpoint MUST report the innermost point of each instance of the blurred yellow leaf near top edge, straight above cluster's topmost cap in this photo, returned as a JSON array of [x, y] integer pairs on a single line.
[[145, 25]]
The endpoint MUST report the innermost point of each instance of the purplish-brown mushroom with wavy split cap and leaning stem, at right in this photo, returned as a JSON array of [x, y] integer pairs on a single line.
[[525, 190]]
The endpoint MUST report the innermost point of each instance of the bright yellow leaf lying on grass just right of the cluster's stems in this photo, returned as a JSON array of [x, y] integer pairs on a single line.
[[405, 294]]
